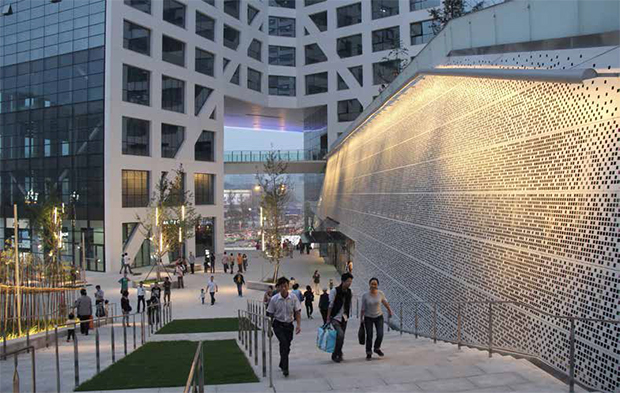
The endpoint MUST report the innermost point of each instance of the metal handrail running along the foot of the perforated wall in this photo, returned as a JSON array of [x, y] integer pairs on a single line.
[[490, 347]]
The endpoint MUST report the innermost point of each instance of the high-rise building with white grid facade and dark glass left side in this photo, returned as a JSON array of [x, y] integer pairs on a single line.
[[99, 98]]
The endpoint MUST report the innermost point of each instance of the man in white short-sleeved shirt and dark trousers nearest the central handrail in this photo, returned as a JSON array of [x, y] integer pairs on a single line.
[[284, 308]]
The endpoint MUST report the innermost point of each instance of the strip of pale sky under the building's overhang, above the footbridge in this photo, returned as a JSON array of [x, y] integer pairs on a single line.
[[248, 139]]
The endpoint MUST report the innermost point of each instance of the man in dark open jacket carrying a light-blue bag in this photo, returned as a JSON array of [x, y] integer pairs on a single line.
[[338, 312]]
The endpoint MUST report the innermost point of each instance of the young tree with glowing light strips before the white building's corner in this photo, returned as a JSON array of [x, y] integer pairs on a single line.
[[171, 218]]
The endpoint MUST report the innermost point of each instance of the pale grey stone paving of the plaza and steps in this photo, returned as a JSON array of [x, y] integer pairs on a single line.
[[410, 365]]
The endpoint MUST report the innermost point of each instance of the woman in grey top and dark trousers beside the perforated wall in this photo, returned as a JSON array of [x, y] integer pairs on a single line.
[[373, 315]]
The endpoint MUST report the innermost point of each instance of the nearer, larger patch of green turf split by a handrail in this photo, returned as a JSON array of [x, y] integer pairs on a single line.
[[167, 364]]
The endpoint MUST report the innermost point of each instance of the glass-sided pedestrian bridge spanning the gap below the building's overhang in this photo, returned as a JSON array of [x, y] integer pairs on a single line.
[[244, 162]]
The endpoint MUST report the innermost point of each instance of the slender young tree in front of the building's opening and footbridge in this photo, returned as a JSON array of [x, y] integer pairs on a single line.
[[275, 187]]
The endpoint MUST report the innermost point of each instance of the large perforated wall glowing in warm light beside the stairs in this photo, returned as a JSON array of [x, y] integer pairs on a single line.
[[480, 189]]
